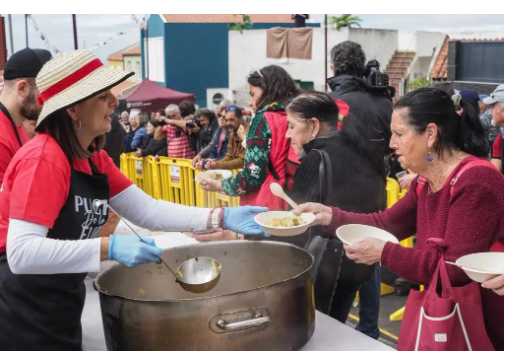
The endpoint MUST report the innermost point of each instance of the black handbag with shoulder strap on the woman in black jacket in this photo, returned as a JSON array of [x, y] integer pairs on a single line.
[[331, 266]]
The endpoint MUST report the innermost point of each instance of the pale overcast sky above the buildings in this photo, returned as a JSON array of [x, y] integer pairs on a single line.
[[93, 29]]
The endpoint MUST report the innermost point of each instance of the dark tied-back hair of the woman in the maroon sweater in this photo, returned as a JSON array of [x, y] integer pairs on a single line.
[[465, 131]]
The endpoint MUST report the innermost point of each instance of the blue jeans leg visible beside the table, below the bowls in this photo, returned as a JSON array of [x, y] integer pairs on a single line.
[[369, 302]]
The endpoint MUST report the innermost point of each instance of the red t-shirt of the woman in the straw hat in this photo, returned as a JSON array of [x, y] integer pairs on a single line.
[[37, 183]]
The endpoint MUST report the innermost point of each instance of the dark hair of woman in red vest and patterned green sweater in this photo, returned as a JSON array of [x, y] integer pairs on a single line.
[[276, 85]]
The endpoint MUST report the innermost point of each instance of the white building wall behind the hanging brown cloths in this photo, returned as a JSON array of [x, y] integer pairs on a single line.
[[247, 53]]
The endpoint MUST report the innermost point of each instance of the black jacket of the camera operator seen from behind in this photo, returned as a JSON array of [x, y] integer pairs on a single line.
[[370, 112]]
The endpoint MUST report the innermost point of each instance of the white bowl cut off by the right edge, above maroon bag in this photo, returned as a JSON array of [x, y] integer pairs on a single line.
[[482, 266]]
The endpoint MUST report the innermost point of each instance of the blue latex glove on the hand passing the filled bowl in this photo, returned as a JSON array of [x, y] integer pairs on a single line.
[[241, 220]]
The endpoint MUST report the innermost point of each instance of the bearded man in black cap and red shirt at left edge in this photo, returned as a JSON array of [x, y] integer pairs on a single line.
[[18, 101]]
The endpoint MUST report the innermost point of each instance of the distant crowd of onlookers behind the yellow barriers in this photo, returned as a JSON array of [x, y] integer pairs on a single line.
[[211, 139]]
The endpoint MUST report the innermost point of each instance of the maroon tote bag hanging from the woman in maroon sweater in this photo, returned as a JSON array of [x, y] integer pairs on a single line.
[[444, 317]]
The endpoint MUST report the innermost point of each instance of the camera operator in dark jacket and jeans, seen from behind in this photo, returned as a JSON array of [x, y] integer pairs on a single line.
[[364, 89]]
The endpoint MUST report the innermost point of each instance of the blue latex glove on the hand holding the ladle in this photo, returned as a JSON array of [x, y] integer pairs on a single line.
[[131, 251]]
